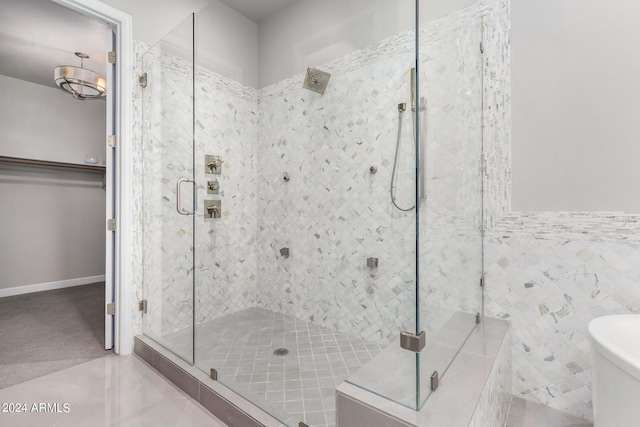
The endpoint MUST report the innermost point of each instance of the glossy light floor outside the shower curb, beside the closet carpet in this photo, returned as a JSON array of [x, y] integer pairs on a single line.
[[118, 391]]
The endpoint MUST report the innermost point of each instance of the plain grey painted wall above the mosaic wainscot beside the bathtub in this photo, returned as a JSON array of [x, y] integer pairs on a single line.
[[576, 100]]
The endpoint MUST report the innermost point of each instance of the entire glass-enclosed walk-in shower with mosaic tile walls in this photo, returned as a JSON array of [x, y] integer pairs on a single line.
[[291, 236]]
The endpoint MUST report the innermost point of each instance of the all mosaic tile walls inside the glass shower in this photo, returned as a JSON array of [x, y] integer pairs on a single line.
[[333, 213]]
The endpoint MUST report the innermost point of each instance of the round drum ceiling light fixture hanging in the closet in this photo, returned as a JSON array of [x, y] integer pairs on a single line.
[[80, 82]]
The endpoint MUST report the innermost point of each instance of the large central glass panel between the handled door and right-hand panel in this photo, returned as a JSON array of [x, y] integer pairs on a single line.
[[308, 276]]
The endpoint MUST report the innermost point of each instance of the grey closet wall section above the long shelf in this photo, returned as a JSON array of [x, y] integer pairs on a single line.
[[44, 123]]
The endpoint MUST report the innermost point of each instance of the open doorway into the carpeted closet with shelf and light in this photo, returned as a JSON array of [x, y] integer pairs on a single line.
[[85, 171]]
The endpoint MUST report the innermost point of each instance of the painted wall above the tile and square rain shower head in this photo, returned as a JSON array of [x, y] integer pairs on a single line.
[[308, 33]]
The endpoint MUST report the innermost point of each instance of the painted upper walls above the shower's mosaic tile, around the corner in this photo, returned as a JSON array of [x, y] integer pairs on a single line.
[[258, 55]]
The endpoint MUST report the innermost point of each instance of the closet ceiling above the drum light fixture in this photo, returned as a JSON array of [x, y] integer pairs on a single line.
[[38, 35]]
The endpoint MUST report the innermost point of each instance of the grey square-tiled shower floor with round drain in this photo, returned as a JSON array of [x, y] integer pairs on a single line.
[[298, 386]]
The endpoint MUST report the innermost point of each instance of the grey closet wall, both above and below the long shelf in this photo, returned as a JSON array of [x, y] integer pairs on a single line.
[[52, 220]]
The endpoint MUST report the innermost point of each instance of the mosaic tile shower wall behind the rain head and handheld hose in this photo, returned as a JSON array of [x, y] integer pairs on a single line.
[[333, 213]]
